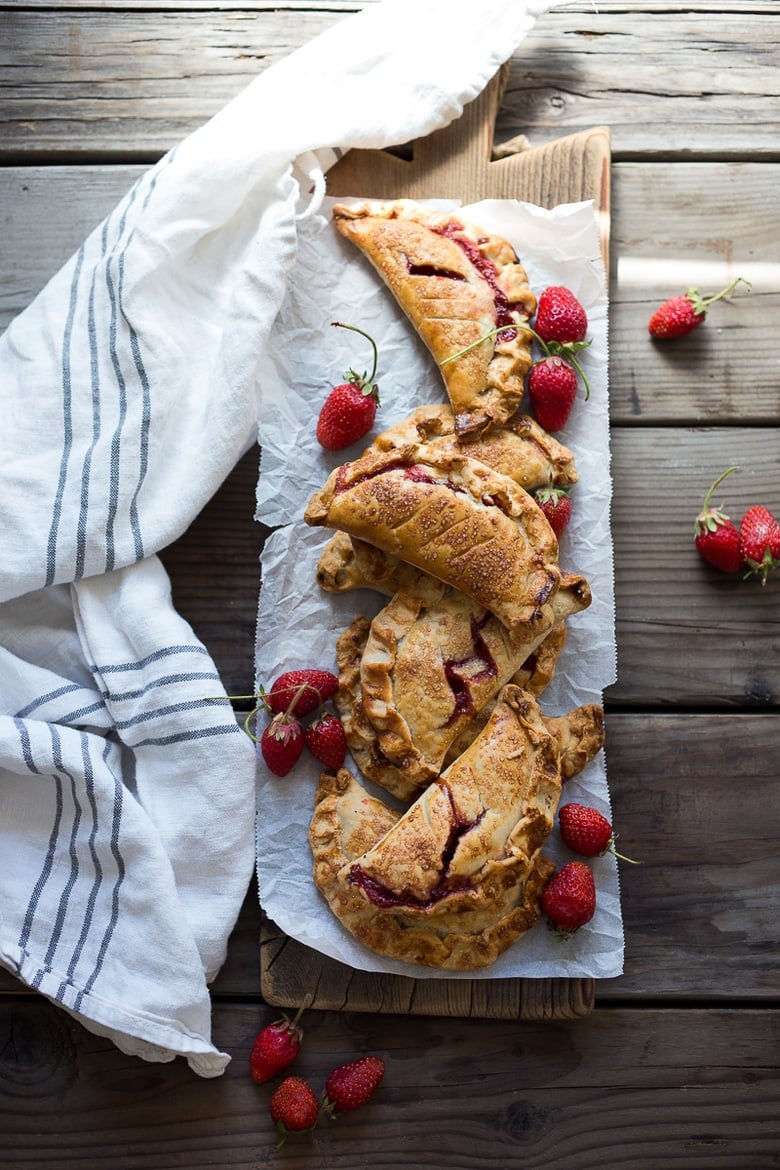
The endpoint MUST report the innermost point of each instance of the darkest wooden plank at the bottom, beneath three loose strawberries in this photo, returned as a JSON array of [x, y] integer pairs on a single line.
[[623, 1089]]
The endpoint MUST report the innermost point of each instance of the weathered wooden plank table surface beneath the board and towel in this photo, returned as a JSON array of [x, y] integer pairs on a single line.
[[678, 1064]]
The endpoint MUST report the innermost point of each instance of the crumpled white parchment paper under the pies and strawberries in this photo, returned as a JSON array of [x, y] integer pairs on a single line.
[[299, 624]]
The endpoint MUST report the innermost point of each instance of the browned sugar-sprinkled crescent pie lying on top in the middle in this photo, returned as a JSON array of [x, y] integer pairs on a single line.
[[454, 519]]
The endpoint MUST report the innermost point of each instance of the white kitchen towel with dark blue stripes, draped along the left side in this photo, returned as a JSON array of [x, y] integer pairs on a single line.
[[129, 390]]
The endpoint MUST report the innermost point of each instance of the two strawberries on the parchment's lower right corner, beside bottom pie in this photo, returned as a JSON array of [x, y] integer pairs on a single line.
[[570, 898]]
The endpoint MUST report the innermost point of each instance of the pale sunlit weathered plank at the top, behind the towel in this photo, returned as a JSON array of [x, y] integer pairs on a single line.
[[668, 82]]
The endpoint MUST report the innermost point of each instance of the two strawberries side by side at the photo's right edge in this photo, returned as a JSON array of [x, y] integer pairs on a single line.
[[751, 548]]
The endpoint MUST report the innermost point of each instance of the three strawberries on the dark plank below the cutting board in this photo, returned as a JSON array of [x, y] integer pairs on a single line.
[[294, 1106]]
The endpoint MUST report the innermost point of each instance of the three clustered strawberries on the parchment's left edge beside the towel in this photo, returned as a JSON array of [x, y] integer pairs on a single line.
[[295, 696]]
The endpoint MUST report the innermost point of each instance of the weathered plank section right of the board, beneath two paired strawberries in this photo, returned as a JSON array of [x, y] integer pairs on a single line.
[[687, 635]]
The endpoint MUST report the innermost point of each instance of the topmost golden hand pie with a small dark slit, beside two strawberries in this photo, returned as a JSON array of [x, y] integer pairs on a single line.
[[457, 284]]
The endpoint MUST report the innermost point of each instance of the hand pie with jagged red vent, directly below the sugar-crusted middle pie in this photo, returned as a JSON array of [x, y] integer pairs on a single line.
[[415, 679]]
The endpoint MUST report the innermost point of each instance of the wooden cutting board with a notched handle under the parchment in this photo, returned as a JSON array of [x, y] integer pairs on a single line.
[[455, 163]]
